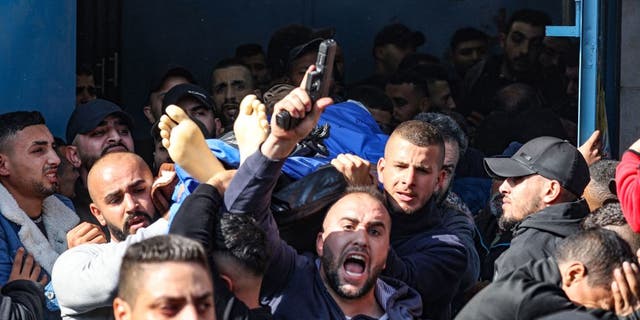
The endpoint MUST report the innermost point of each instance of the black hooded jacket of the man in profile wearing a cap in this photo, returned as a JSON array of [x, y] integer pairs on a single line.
[[538, 235]]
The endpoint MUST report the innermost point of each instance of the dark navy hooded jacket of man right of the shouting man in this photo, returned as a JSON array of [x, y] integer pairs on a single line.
[[428, 257]]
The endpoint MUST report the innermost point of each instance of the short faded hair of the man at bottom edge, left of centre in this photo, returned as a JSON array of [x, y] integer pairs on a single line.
[[159, 249]]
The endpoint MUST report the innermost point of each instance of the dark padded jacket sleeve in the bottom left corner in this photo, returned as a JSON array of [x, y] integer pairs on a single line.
[[22, 300]]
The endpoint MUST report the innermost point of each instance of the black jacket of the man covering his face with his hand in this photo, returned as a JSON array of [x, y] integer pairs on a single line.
[[530, 292]]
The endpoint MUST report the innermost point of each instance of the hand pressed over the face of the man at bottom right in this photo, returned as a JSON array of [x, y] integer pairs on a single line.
[[626, 289]]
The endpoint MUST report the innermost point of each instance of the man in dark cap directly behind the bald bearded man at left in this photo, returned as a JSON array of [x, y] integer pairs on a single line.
[[95, 129]]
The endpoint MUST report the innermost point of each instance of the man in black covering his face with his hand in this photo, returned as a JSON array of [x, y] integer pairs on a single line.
[[594, 272]]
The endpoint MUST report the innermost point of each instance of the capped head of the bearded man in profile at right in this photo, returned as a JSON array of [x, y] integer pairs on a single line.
[[544, 172]]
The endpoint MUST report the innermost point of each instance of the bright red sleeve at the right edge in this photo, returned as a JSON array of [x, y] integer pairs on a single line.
[[628, 188]]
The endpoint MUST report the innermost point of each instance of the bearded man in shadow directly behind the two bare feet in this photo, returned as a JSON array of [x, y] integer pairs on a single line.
[[231, 81]]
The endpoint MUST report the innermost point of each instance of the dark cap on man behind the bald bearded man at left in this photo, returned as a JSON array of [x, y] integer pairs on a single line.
[[88, 116]]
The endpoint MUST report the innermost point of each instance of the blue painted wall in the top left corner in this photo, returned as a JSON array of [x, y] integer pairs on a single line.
[[37, 59]]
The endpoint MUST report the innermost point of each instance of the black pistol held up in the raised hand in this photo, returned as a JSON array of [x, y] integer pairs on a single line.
[[317, 84]]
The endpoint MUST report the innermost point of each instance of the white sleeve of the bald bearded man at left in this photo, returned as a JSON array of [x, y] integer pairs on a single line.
[[86, 277]]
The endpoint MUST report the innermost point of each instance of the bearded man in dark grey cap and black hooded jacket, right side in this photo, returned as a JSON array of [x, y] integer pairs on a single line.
[[542, 184]]
